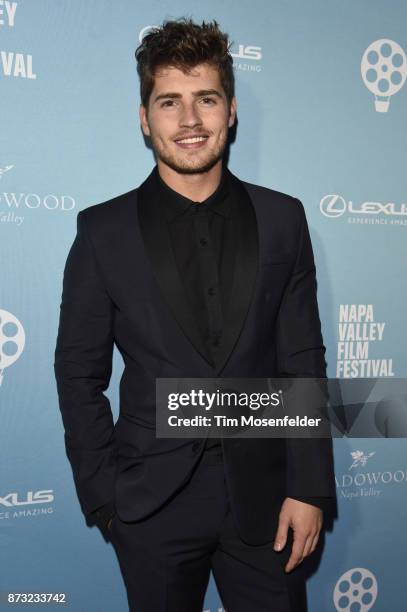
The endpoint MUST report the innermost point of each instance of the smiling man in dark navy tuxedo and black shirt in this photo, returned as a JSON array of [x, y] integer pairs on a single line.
[[193, 274]]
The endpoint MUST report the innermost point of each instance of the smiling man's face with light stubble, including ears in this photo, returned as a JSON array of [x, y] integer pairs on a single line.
[[188, 118]]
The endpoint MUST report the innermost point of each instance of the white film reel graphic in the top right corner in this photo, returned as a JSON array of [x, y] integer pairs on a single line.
[[384, 71]]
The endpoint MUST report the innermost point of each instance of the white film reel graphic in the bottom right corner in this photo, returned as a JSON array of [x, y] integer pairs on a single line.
[[356, 589]]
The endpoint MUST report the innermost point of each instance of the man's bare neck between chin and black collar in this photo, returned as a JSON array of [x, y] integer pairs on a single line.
[[196, 187]]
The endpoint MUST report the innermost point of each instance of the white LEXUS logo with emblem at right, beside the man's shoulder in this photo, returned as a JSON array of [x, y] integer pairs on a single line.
[[334, 205]]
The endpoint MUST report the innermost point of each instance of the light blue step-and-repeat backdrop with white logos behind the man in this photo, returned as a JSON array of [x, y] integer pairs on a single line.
[[322, 108]]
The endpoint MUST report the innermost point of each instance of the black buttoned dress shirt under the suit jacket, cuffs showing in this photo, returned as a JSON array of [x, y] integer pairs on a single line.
[[204, 249]]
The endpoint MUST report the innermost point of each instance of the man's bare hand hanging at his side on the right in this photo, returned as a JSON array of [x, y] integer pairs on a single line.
[[306, 521]]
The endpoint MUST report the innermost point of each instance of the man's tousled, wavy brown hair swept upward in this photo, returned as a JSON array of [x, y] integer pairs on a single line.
[[183, 44]]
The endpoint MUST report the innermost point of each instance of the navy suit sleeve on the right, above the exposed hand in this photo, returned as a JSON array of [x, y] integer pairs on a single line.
[[301, 353]]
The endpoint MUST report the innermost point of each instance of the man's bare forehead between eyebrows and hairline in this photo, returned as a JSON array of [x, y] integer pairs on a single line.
[[202, 74]]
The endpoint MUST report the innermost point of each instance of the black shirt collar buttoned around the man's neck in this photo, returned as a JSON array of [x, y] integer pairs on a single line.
[[176, 204]]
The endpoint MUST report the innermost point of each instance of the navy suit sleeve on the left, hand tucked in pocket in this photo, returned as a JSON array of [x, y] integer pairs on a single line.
[[83, 366]]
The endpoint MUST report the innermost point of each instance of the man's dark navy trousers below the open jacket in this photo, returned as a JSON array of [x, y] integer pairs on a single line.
[[166, 559]]
